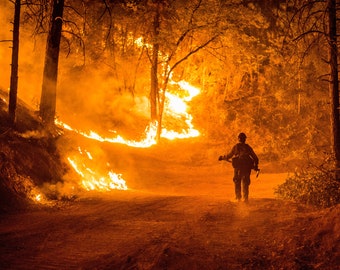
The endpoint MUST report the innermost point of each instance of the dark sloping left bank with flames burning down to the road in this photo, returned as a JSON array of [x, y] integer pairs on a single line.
[[35, 171]]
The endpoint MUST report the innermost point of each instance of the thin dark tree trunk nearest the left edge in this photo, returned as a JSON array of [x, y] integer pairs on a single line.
[[14, 68]]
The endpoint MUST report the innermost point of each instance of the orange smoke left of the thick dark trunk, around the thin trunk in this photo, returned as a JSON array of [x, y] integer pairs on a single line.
[[30, 57]]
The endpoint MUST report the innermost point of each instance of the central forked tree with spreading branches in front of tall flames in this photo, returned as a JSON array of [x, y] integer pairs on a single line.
[[178, 31]]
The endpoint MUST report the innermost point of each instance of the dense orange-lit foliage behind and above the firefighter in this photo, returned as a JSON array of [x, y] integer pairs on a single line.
[[263, 87]]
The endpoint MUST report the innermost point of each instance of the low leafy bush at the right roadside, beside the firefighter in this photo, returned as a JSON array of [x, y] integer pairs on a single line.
[[315, 186]]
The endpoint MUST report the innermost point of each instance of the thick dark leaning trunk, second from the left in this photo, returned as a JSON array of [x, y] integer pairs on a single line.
[[50, 76]]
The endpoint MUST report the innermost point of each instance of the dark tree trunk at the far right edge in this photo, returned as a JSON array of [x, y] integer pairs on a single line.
[[334, 85]]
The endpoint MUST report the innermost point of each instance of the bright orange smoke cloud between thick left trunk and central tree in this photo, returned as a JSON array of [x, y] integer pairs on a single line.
[[94, 98]]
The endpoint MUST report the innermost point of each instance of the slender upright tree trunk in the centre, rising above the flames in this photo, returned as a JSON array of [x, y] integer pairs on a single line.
[[154, 67]]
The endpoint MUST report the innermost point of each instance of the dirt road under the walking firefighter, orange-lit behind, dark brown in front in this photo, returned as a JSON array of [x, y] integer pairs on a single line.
[[186, 220]]
